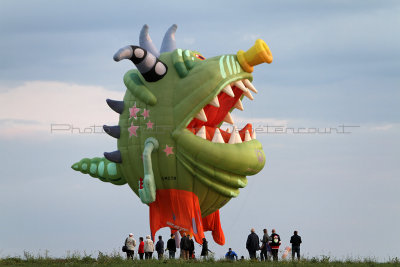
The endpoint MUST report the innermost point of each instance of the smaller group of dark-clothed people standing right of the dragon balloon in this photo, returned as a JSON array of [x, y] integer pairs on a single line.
[[270, 245]]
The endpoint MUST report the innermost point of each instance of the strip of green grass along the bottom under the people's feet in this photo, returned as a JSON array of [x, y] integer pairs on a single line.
[[117, 259]]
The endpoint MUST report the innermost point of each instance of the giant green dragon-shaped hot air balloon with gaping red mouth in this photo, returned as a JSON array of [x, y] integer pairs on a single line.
[[171, 151]]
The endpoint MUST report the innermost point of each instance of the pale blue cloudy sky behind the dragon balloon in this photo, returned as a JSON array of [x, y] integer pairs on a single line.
[[327, 113]]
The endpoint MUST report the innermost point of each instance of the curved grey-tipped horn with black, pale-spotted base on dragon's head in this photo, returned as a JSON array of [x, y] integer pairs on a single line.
[[151, 68]]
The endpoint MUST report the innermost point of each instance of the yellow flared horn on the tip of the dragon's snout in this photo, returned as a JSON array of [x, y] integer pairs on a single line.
[[257, 54]]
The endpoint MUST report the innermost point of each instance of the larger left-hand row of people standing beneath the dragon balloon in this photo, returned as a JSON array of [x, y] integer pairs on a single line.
[[147, 248]]
